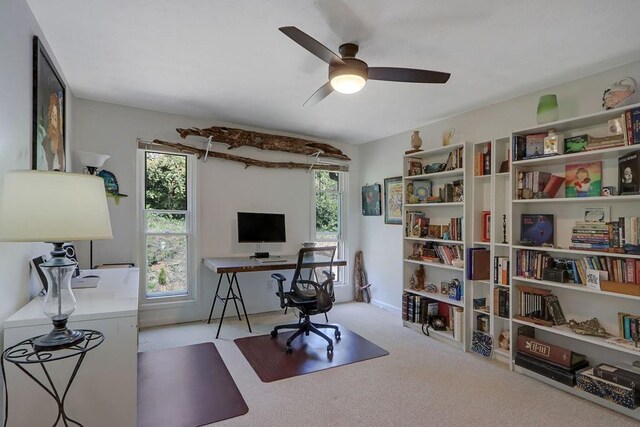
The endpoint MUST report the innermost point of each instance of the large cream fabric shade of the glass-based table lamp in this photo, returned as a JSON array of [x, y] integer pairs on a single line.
[[38, 206]]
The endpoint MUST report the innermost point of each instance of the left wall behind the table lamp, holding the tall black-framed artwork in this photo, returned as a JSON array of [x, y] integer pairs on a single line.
[[17, 28]]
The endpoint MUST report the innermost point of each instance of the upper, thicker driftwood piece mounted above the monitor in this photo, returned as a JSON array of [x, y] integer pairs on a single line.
[[239, 137]]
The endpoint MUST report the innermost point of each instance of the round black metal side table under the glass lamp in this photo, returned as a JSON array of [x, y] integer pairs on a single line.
[[24, 354]]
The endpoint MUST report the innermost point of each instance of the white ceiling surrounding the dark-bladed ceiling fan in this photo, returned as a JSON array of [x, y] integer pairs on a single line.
[[226, 60]]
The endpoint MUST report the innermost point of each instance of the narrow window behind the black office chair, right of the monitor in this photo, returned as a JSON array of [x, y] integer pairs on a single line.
[[328, 212]]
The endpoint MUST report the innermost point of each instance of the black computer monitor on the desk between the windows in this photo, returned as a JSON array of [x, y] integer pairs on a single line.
[[256, 227]]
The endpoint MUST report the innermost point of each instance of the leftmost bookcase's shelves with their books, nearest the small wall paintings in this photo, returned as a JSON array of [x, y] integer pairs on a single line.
[[429, 219]]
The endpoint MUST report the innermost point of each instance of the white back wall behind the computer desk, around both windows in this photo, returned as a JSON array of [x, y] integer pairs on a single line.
[[224, 188]]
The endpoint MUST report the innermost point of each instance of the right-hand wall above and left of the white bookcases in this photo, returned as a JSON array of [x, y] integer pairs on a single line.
[[575, 98]]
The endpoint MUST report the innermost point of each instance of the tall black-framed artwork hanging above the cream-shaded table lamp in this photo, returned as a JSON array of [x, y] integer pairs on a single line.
[[48, 115]]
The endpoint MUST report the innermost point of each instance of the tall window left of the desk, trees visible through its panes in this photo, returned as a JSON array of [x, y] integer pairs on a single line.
[[167, 224]]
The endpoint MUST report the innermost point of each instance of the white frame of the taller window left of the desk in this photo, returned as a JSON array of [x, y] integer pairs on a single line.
[[191, 296]]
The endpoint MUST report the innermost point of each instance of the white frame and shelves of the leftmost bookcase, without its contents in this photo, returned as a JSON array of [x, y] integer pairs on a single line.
[[439, 213]]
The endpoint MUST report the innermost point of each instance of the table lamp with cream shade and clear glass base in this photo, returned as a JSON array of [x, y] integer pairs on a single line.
[[54, 207]]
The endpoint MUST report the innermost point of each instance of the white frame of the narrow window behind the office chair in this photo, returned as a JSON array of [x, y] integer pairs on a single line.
[[342, 242]]
